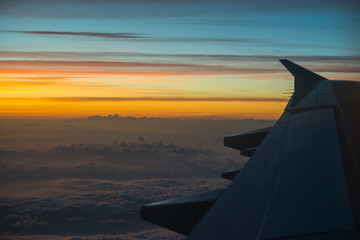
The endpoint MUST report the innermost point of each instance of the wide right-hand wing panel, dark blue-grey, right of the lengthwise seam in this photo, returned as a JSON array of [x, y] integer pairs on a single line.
[[310, 195]]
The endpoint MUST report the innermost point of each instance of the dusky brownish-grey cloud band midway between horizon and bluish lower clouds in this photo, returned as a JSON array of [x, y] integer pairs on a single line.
[[113, 161]]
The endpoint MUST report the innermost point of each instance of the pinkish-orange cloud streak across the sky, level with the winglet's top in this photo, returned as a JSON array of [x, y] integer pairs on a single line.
[[106, 67]]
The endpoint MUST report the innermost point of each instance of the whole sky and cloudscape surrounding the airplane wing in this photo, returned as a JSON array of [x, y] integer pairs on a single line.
[[74, 165]]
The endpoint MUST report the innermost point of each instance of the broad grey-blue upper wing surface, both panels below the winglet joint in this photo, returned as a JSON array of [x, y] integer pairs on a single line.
[[293, 185]]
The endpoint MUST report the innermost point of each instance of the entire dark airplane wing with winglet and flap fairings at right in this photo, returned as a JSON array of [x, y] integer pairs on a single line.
[[302, 180]]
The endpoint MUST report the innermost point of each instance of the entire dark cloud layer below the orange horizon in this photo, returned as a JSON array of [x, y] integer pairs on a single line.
[[92, 189]]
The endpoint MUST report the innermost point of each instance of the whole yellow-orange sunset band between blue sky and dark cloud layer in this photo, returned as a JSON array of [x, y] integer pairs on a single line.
[[68, 89]]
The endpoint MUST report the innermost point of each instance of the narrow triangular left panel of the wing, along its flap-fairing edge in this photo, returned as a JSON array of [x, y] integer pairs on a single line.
[[246, 199]]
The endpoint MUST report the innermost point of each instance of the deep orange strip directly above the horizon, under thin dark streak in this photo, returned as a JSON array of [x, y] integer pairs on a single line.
[[167, 109]]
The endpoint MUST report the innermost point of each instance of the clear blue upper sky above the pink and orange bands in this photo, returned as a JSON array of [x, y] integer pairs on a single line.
[[212, 27]]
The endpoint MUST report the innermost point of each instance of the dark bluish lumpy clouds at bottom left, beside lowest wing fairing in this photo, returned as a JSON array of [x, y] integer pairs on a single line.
[[94, 206]]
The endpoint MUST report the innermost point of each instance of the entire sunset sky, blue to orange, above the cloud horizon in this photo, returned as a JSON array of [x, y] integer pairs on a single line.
[[178, 58]]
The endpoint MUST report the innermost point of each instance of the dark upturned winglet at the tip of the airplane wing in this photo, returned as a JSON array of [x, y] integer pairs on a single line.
[[305, 80]]
